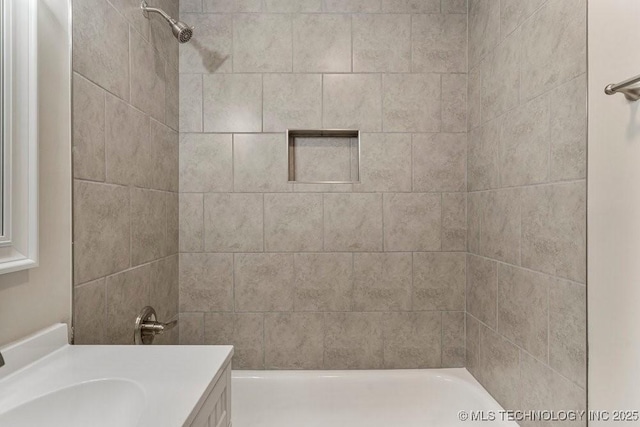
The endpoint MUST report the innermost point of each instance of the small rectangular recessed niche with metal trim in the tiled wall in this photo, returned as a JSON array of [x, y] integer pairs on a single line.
[[324, 156]]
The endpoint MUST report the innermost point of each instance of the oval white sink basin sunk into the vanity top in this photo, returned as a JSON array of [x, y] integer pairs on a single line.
[[99, 403]]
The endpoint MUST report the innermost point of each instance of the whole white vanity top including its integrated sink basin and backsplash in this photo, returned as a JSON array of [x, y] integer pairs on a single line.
[[47, 382]]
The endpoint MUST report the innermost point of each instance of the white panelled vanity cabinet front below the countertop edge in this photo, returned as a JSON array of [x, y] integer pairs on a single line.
[[216, 411]]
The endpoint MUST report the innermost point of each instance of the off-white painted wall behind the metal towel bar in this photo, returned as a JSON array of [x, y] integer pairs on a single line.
[[613, 209]]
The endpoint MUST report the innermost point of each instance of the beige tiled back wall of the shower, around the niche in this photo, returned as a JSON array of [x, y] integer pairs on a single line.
[[370, 275]]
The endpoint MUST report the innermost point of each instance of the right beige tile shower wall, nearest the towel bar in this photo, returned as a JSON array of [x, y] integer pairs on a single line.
[[526, 267]]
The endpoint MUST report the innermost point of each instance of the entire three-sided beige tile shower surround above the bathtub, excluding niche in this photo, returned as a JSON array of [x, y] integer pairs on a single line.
[[463, 245]]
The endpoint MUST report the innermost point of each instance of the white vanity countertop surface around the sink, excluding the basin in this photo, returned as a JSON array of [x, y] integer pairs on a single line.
[[175, 380]]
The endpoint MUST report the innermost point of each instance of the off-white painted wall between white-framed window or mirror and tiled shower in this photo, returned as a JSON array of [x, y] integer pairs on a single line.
[[33, 299]]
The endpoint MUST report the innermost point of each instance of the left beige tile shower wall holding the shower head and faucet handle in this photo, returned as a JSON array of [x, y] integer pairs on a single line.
[[125, 163]]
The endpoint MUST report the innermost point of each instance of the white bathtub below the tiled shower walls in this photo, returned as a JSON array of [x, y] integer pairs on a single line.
[[406, 398]]
